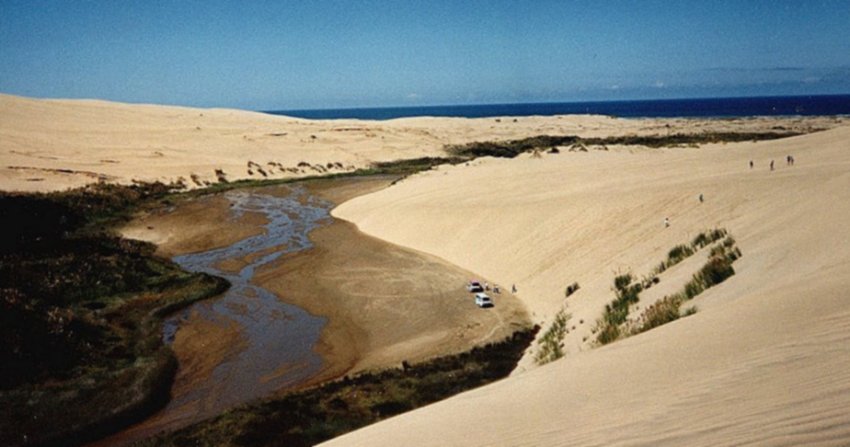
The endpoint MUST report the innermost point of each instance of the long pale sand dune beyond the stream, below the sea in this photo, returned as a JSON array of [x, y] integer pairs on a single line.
[[54, 144]]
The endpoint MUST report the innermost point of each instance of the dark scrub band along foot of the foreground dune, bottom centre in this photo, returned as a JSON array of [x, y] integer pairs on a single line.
[[318, 414]]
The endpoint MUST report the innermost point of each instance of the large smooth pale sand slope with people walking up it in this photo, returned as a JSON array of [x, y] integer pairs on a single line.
[[764, 361]]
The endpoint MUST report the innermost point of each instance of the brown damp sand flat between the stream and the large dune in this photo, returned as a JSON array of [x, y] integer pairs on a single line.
[[384, 303]]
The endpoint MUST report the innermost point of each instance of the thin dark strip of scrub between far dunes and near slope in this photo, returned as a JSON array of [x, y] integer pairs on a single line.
[[512, 148]]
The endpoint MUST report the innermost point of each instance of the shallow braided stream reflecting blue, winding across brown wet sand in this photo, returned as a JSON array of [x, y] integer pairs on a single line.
[[278, 338]]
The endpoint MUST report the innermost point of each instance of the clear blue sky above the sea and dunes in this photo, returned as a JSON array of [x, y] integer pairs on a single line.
[[267, 55]]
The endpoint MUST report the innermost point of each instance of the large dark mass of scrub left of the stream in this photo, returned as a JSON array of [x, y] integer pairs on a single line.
[[80, 315]]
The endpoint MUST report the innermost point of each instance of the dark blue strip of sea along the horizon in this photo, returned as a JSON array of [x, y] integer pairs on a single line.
[[705, 107]]
